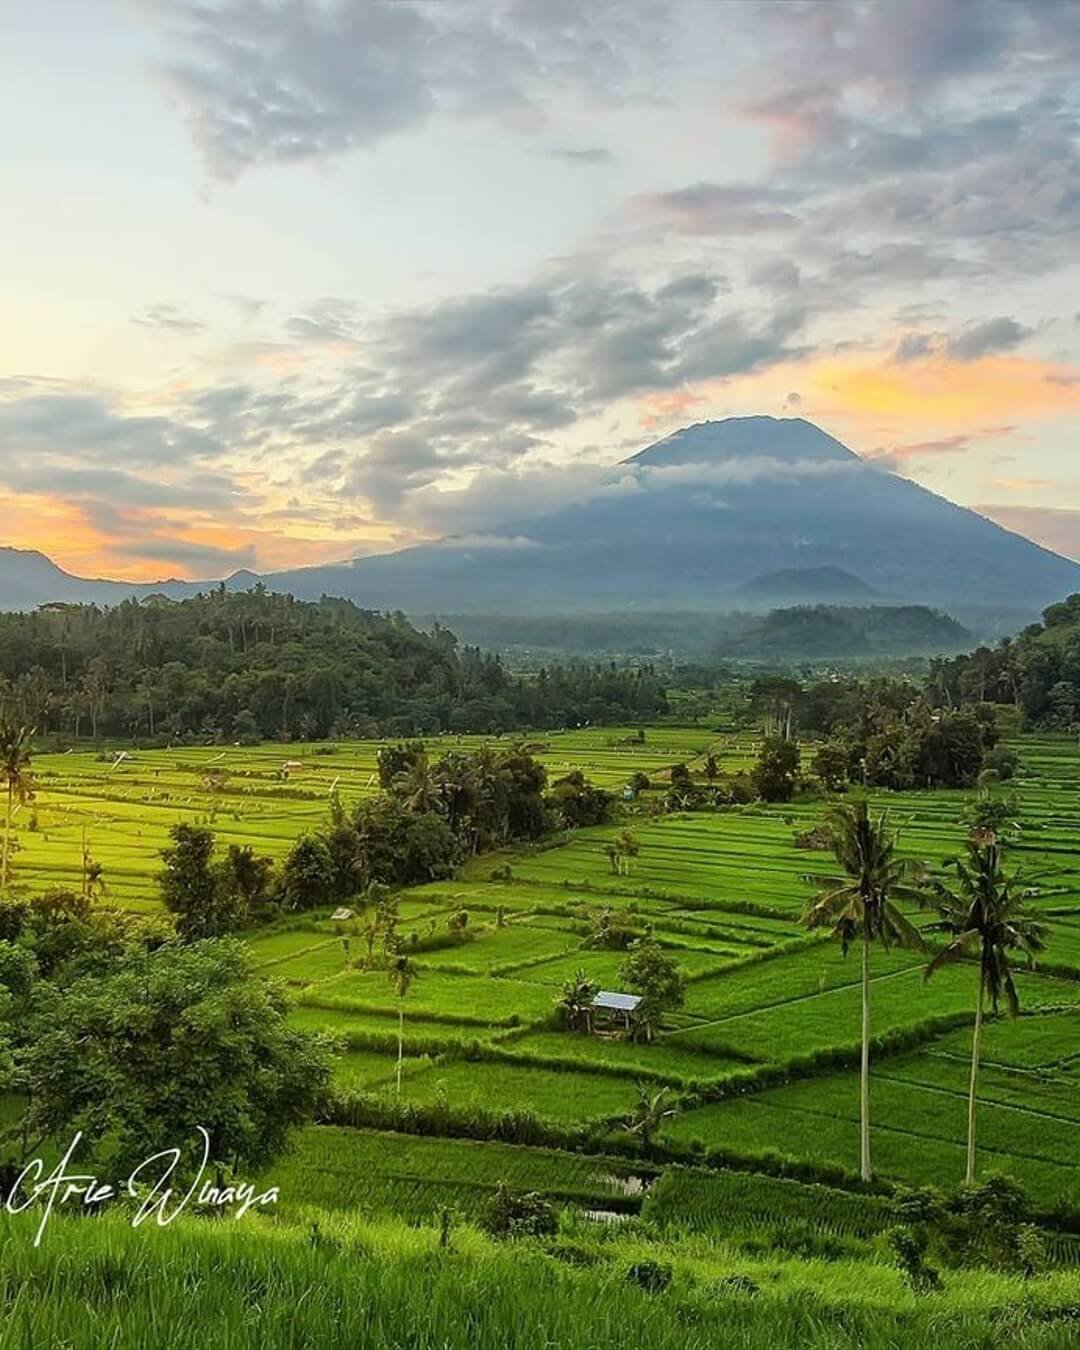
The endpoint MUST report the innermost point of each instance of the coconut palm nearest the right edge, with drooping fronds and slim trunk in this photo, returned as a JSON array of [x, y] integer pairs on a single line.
[[986, 917]]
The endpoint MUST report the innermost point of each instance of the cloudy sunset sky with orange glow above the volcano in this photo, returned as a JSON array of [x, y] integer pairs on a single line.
[[288, 281]]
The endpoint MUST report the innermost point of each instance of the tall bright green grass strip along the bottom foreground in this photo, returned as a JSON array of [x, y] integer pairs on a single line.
[[241, 1283]]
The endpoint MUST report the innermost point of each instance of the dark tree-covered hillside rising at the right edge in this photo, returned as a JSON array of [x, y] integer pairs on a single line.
[[1037, 672]]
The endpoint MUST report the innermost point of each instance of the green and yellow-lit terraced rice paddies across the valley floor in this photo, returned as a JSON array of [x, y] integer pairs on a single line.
[[723, 893]]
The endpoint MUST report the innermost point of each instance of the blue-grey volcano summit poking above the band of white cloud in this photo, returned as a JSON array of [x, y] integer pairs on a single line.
[[789, 439]]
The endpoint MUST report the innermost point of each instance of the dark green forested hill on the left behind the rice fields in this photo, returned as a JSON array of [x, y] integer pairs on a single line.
[[257, 666]]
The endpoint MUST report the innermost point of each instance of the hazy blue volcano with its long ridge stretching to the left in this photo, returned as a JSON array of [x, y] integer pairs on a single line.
[[681, 526]]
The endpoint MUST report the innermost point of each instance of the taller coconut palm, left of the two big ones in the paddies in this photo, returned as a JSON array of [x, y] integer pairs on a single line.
[[861, 907]]
